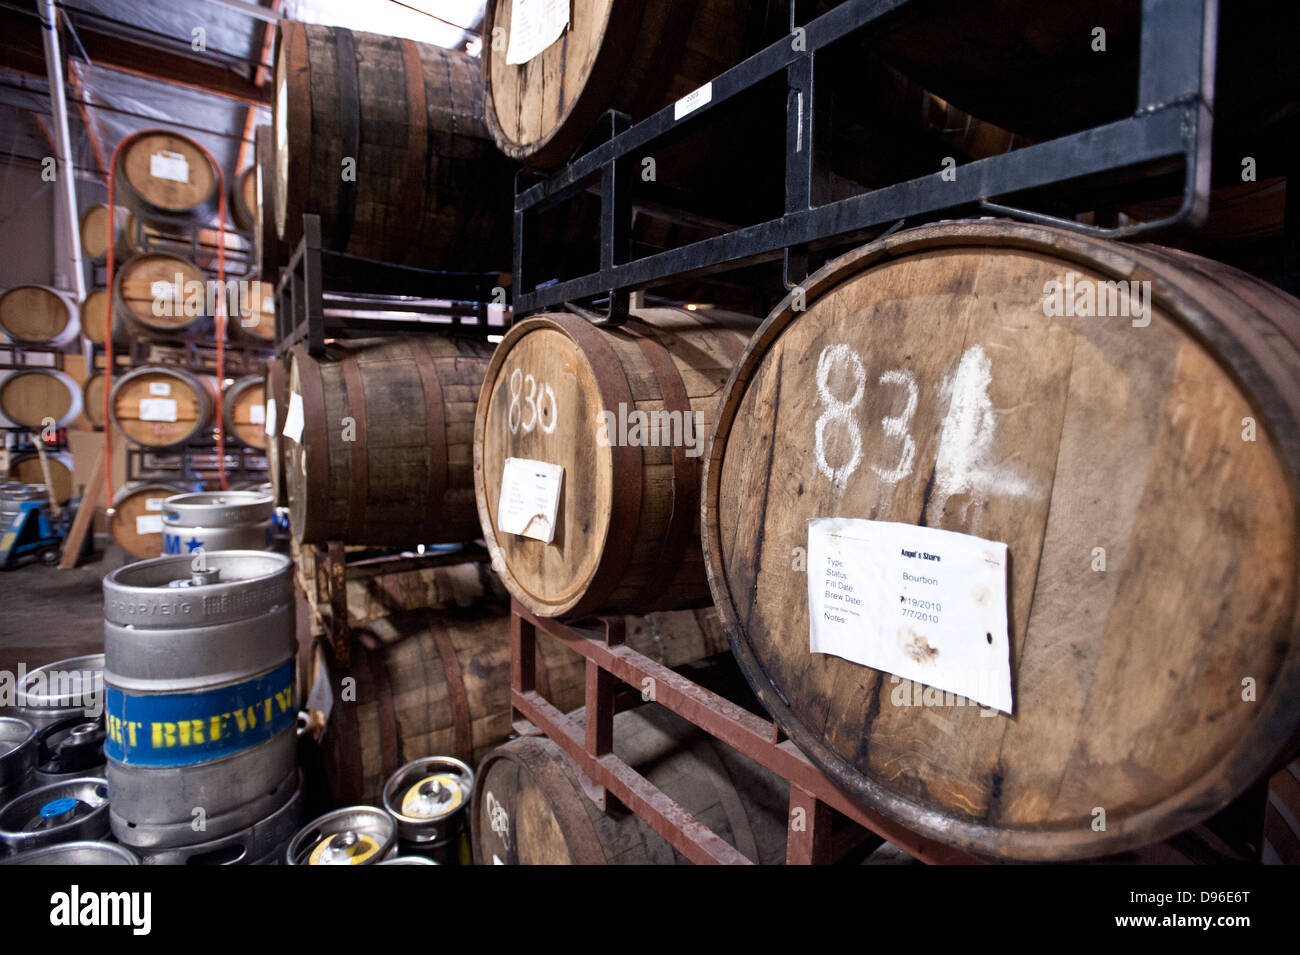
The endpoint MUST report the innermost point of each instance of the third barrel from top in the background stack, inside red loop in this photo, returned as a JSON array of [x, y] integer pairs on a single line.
[[157, 406]]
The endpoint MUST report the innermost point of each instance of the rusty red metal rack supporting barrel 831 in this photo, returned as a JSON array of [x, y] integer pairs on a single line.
[[609, 663]]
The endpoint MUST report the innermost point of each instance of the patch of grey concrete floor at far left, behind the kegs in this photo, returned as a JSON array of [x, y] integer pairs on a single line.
[[49, 615]]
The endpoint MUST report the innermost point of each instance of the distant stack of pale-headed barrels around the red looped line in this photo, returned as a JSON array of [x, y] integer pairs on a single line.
[[172, 407]]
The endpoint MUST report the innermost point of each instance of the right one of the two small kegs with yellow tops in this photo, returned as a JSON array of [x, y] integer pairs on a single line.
[[428, 798]]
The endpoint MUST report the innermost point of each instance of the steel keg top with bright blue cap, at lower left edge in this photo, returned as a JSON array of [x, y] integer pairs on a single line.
[[68, 811]]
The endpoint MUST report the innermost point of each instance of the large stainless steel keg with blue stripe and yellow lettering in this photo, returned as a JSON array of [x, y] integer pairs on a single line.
[[201, 696]]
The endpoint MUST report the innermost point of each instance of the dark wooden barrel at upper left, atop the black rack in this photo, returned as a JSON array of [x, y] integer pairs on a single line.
[[384, 138]]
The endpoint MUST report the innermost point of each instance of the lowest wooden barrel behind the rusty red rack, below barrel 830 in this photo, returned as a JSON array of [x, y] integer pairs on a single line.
[[530, 808]]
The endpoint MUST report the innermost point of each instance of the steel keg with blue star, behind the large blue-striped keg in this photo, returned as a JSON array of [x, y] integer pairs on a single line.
[[218, 522]]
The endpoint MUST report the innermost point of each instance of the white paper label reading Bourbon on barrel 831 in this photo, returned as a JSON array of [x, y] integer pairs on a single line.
[[924, 604]]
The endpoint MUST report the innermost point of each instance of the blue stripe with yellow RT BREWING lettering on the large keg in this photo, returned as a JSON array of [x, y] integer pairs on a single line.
[[185, 728]]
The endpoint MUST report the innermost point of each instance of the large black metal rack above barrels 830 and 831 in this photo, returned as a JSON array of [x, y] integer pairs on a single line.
[[1172, 123]]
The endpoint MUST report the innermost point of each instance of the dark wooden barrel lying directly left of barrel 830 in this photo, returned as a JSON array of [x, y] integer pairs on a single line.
[[379, 441]]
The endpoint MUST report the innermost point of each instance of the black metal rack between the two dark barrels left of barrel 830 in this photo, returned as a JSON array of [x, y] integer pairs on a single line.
[[324, 294]]
